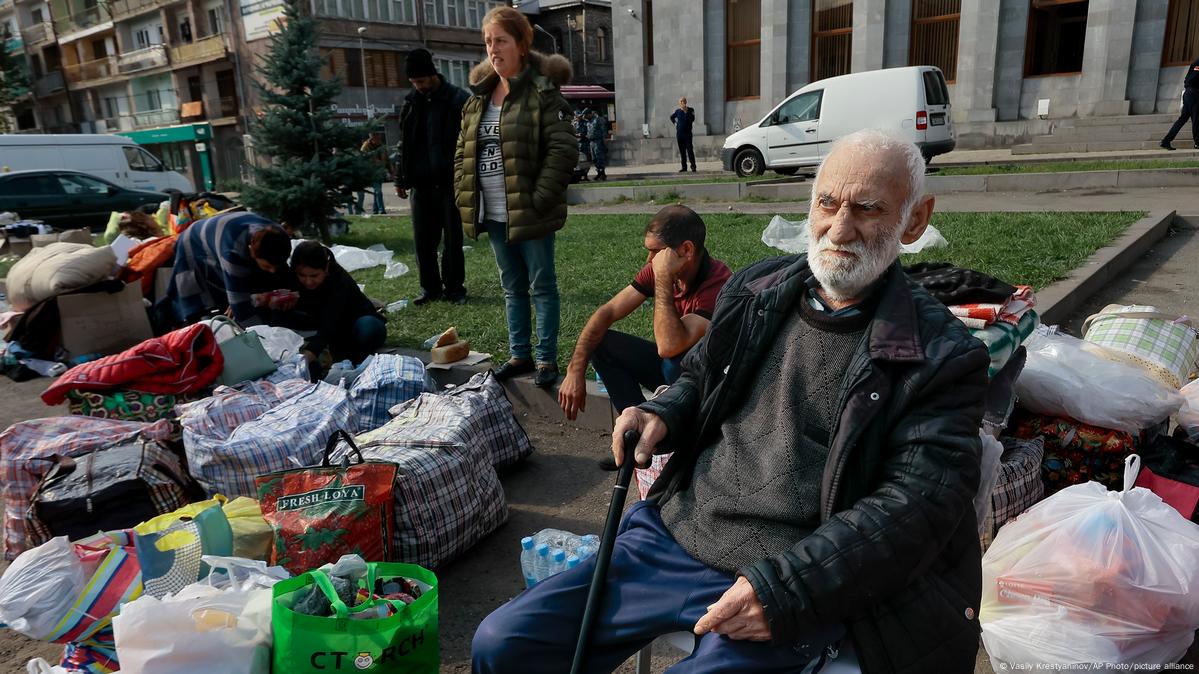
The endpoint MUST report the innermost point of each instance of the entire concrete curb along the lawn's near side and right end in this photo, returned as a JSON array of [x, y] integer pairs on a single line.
[[1055, 304]]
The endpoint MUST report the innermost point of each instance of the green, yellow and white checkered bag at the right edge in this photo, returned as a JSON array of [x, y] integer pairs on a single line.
[[1165, 345]]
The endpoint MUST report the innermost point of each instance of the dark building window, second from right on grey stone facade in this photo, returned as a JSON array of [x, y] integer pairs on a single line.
[[1057, 32]]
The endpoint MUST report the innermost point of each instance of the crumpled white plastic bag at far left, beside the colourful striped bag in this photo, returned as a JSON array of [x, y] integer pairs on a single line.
[[40, 587]]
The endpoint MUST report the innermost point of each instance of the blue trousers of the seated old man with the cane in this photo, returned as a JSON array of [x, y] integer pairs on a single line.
[[654, 588]]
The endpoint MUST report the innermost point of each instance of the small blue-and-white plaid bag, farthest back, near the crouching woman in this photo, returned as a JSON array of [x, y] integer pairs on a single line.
[[389, 381]]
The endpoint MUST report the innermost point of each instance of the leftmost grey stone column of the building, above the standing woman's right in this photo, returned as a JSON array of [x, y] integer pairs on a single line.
[[629, 67]]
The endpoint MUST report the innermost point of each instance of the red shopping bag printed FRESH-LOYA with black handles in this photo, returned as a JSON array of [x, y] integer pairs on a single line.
[[322, 513]]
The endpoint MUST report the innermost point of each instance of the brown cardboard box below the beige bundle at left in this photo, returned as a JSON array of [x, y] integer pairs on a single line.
[[103, 323]]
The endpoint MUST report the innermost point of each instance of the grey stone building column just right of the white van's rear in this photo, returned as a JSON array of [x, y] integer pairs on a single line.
[[978, 51]]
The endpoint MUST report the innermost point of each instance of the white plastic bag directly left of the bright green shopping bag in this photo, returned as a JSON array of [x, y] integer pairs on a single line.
[[219, 625]]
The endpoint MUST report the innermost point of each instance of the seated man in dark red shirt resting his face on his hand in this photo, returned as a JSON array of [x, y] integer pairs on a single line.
[[684, 281]]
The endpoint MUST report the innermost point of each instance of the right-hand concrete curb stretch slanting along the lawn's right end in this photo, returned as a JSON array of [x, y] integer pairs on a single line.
[[1059, 300]]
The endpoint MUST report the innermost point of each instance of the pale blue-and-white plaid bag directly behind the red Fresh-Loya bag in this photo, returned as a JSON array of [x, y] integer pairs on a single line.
[[255, 429]]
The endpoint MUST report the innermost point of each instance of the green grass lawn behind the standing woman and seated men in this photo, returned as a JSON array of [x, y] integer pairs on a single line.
[[599, 255]]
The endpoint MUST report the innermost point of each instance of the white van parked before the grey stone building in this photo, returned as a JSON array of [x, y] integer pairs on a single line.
[[799, 131]]
